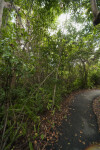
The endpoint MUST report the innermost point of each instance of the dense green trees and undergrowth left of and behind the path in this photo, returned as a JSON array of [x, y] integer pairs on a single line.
[[38, 68]]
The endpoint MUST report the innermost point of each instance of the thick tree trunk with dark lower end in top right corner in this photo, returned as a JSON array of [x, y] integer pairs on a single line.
[[95, 11]]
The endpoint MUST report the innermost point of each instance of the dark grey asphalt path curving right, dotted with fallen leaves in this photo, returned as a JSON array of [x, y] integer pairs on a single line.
[[79, 130]]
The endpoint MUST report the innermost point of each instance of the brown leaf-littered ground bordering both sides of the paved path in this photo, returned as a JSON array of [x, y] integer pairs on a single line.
[[50, 121]]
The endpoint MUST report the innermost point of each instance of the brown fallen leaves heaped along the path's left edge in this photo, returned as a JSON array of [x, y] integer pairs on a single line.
[[48, 132]]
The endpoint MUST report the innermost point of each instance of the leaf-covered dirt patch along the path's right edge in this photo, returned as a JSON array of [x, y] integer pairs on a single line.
[[96, 108]]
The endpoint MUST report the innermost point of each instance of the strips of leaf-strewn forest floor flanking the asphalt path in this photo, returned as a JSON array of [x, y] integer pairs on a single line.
[[56, 119]]
